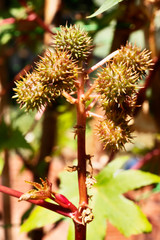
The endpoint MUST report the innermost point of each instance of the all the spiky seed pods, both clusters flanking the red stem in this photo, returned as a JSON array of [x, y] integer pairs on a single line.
[[57, 71]]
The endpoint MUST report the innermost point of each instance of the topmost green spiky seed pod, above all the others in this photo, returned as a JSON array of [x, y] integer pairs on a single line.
[[74, 40]]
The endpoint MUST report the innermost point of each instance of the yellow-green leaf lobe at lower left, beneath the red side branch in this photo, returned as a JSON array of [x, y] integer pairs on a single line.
[[40, 217]]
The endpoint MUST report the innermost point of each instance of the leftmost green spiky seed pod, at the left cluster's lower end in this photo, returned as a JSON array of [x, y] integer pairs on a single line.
[[31, 93]]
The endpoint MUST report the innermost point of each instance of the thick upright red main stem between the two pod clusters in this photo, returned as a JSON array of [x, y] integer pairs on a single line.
[[80, 230]]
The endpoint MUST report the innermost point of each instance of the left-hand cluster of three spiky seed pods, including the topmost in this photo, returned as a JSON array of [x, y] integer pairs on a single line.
[[57, 70]]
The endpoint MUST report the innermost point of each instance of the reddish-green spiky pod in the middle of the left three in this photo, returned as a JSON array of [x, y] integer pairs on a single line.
[[58, 70]]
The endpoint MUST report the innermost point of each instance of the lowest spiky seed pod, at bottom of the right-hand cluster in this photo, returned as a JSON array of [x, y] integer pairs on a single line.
[[113, 136]]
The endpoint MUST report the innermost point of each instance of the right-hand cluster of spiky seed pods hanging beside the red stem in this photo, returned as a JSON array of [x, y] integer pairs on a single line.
[[117, 87]]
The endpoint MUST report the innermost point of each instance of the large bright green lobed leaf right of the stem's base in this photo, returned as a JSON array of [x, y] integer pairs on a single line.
[[121, 212]]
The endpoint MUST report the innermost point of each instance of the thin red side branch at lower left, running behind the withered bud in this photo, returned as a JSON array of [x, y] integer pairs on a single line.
[[51, 206]]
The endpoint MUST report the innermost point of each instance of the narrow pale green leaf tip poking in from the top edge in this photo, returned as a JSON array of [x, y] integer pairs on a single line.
[[104, 7]]
